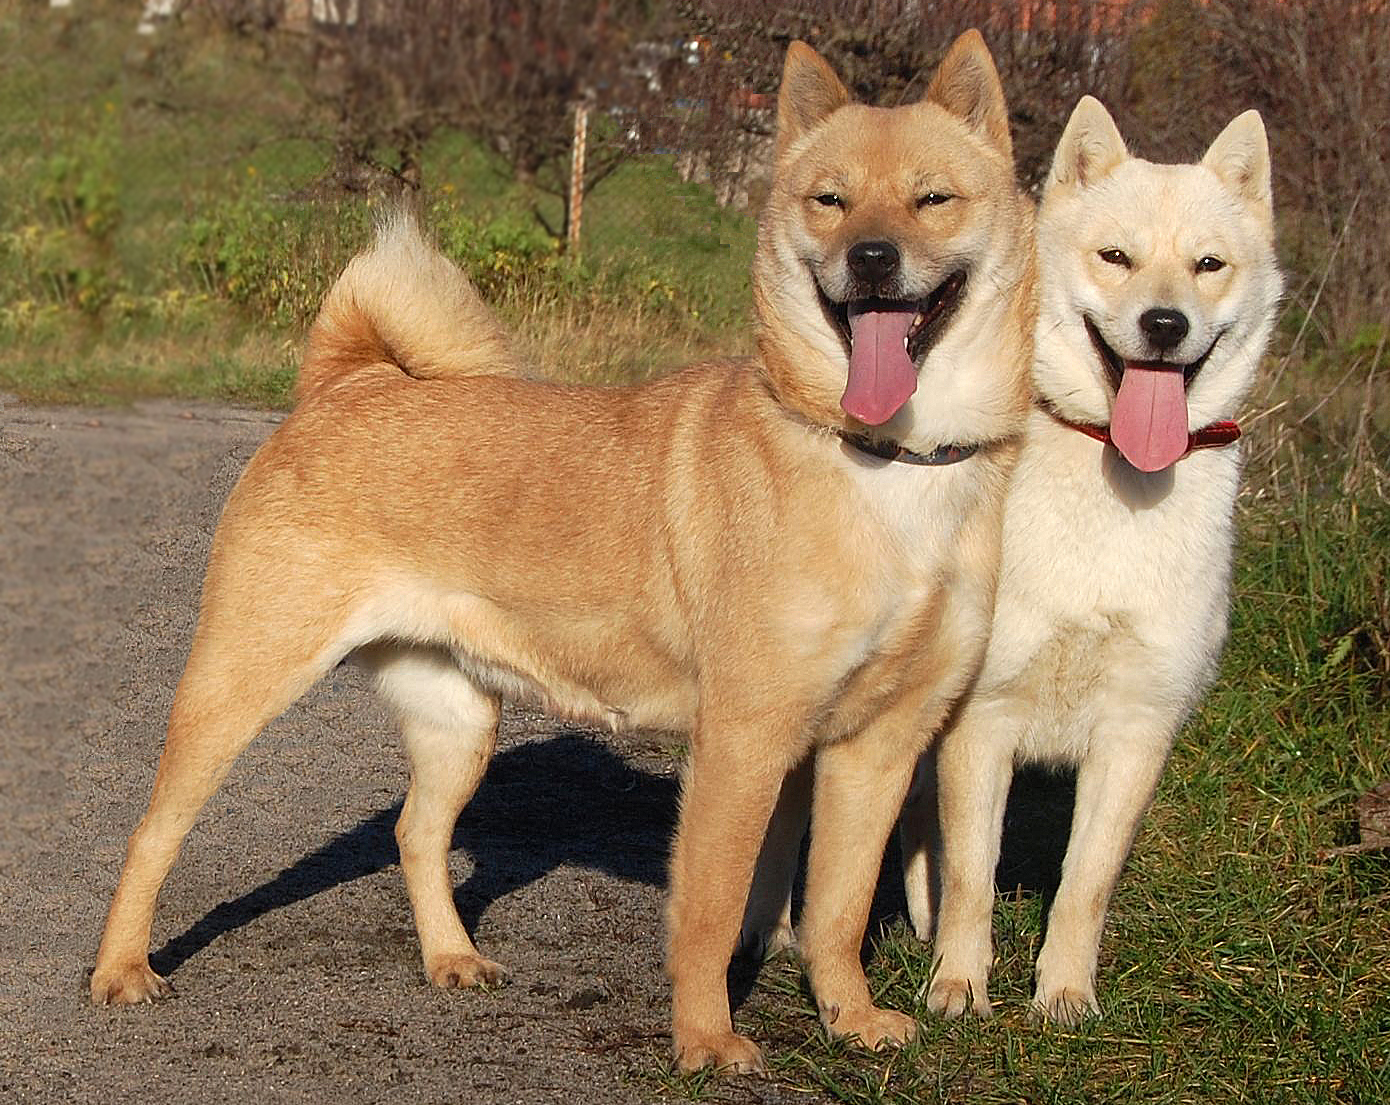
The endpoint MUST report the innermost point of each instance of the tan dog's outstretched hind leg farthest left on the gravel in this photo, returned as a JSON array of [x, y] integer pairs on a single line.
[[244, 671]]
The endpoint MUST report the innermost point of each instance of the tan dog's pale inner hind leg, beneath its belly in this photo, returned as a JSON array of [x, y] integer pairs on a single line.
[[450, 728]]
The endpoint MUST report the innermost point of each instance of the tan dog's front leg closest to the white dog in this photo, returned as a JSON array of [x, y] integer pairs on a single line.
[[860, 789]]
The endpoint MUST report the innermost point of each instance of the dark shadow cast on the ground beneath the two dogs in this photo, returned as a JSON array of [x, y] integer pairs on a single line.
[[573, 801]]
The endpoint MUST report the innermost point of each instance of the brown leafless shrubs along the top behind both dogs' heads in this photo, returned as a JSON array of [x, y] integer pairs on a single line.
[[698, 79]]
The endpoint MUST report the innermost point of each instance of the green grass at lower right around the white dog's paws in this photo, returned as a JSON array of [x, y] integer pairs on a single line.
[[1238, 965]]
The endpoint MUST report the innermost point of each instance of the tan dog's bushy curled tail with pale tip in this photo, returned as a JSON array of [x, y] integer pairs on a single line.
[[404, 304]]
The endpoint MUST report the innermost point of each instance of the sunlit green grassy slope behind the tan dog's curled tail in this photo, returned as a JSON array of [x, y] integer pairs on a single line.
[[167, 226]]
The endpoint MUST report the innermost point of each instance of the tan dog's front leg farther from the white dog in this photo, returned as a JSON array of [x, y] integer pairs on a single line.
[[732, 786]]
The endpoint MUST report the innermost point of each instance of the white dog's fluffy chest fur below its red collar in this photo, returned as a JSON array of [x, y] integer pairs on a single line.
[[1114, 589]]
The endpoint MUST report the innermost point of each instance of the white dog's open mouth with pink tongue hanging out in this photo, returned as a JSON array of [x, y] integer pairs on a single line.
[[1149, 420]]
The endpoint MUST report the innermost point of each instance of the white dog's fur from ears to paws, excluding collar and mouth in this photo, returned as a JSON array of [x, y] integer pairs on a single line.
[[1114, 591]]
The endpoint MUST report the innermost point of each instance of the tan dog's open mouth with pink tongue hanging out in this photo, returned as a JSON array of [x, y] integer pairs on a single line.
[[886, 341]]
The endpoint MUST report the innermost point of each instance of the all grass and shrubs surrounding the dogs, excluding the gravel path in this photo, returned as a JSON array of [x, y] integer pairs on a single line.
[[172, 211]]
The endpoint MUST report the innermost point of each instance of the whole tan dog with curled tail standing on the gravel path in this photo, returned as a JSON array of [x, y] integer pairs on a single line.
[[726, 551]]
